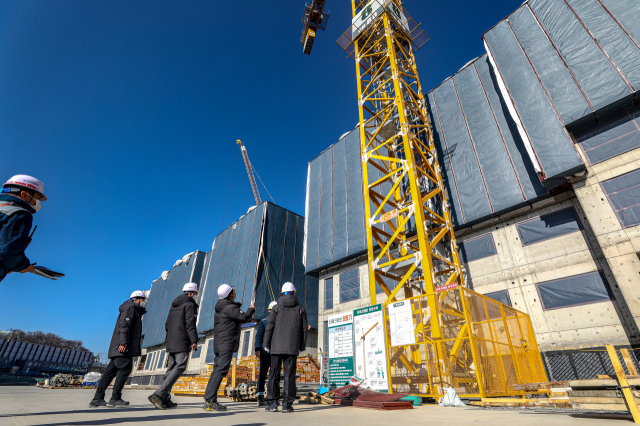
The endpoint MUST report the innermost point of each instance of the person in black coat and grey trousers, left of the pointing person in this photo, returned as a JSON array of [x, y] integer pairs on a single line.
[[182, 338]]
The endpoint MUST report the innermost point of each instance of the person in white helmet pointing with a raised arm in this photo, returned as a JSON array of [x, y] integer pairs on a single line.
[[226, 340]]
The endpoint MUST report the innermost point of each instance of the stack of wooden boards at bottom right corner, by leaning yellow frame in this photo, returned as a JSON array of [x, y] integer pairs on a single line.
[[602, 394]]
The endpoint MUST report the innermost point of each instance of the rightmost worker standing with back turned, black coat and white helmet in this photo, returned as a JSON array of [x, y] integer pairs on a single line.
[[285, 337]]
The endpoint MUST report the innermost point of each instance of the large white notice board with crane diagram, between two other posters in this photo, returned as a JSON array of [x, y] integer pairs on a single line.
[[370, 354]]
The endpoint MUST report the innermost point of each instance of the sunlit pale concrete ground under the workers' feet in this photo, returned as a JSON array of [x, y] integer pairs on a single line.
[[57, 407]]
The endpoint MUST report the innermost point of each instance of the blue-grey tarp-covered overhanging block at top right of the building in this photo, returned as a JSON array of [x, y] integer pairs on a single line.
[[563, 65]]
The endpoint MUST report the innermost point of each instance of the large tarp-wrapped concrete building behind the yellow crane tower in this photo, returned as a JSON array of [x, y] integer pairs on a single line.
[[539, 144]]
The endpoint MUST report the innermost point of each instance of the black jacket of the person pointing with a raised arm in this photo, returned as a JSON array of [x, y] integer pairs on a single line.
[[226, 325]]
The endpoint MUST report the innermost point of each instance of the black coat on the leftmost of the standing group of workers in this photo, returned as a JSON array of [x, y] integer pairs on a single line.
[[128, 331]]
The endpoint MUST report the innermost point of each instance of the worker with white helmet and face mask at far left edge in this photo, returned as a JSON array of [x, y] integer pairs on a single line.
[[19, 200]]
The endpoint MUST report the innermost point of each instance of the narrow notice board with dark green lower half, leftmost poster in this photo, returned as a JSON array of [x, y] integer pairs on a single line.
[[340, 349]]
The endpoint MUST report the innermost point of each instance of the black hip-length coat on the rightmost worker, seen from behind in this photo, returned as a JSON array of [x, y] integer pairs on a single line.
[[286, 332]]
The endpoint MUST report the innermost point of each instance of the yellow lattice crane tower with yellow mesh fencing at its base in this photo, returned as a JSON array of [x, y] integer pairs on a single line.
[[410, 241]]
